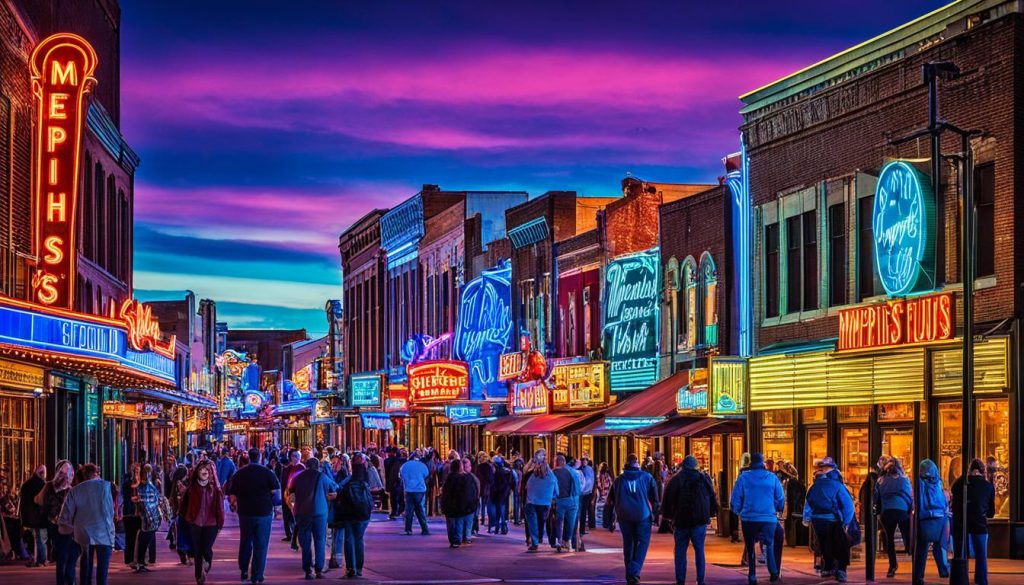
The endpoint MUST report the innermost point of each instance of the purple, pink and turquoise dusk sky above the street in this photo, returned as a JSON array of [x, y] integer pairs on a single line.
[[267, 129]]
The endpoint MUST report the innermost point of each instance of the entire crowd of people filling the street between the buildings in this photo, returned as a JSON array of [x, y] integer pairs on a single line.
[[327, 498]]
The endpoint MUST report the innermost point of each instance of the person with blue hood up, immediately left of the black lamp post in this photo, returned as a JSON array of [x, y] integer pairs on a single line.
[[932, 516]]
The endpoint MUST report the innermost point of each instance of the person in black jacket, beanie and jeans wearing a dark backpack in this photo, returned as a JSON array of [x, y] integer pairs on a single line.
[[690, 504]]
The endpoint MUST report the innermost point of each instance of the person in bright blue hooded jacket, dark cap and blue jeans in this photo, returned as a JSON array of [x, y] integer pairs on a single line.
[[757, 498]]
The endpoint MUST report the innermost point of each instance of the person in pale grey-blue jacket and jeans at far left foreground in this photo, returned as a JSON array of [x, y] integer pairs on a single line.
[[89, 515]]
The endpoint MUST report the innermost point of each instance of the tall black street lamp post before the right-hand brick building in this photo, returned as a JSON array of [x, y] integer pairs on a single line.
[[936, 128]]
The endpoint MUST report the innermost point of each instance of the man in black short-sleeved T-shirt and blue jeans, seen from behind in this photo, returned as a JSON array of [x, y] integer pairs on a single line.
[[252, 493]]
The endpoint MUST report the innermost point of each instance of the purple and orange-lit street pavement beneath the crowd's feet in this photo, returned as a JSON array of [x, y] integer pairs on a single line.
[[394, 559]]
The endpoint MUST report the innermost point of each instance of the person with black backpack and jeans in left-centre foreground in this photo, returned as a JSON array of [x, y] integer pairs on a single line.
[[353, 510]]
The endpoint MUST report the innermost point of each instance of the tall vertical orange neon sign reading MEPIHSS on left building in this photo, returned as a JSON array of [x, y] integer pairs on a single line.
[[62, 74]]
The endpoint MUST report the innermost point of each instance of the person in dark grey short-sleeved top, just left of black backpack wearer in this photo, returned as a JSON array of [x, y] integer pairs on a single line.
[[313, 492]]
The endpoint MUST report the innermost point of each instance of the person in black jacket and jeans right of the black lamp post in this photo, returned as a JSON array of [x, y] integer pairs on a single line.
[[980, 508]]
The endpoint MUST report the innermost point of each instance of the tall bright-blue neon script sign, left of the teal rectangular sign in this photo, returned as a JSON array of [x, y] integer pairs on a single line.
[[485, 330]]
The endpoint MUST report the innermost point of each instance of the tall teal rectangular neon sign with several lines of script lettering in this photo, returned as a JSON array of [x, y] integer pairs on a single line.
[[631, 318]]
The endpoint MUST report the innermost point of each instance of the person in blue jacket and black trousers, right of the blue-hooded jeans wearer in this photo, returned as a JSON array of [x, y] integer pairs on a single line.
[[830, 510]]
